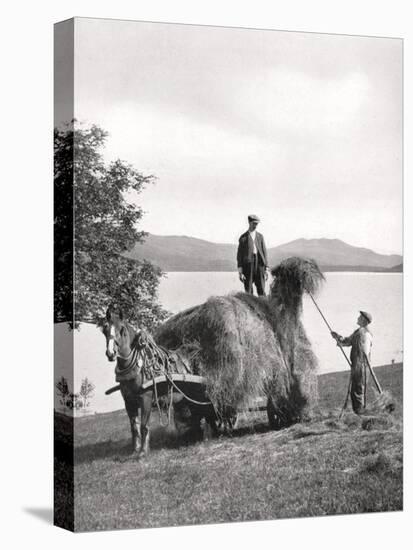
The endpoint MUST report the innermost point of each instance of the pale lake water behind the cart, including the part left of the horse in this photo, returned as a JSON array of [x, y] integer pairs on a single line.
[[340, 299]]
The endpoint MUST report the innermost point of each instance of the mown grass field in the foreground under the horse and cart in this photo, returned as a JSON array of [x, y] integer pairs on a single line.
[[318, 468]]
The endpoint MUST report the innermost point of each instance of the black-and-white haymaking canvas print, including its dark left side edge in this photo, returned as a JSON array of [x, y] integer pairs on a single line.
[[228, 274]]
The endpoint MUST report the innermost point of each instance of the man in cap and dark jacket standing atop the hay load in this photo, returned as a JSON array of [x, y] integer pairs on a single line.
[[252, 258]]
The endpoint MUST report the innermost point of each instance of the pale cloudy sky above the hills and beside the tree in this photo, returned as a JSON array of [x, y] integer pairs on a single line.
[[302, 129]]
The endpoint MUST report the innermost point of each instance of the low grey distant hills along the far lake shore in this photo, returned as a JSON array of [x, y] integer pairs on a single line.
[[182, 253]]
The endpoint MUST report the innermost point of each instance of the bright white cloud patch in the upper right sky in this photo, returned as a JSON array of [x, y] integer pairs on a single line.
[[300, 104]]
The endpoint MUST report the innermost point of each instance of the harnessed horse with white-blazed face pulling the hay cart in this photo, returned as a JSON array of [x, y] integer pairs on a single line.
[[126, 346]]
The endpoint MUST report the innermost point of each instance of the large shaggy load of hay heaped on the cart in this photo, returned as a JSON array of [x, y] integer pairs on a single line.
[[247, 346]]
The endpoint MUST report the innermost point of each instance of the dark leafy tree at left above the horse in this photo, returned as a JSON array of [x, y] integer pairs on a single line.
[[96, 217]]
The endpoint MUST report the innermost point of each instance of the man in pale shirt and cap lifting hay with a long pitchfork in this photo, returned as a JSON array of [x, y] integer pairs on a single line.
[[360, 342]]
